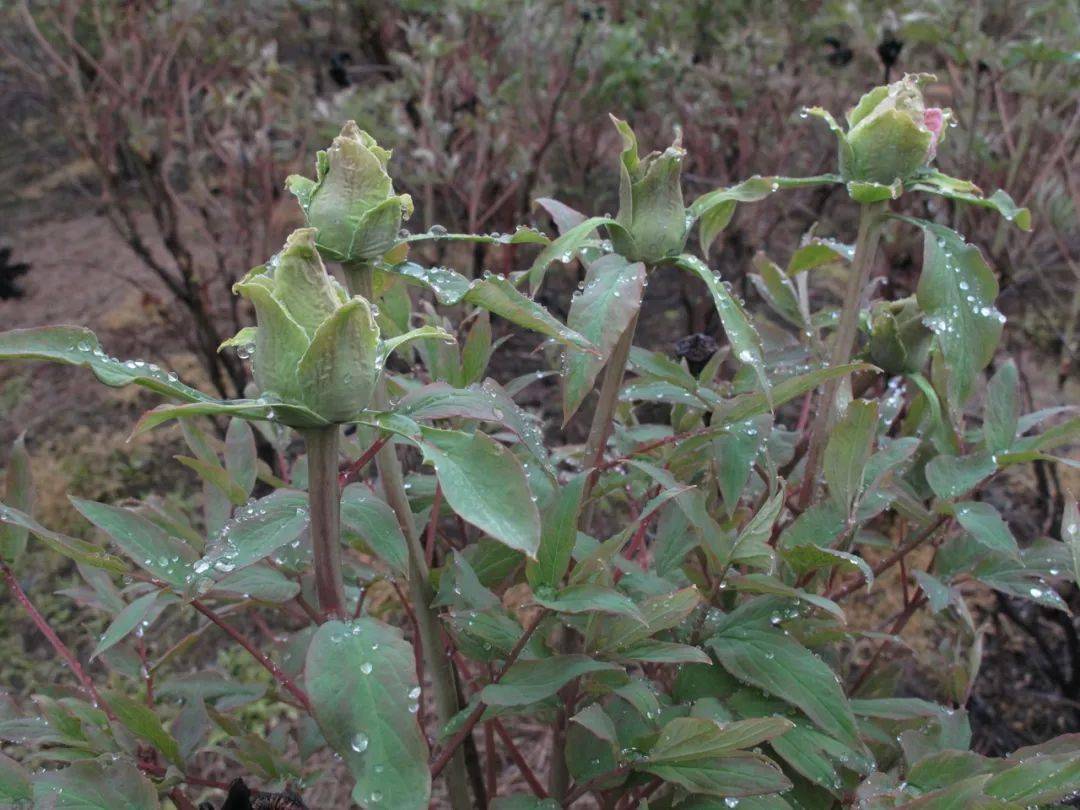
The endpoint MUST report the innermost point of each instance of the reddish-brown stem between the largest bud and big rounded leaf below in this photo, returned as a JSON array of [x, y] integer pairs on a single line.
[[325, 499]]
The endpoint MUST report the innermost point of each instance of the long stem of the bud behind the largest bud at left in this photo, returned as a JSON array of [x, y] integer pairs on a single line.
[[436, 663]]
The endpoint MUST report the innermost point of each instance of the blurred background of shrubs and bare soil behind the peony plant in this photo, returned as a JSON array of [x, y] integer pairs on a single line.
[[160, 134]]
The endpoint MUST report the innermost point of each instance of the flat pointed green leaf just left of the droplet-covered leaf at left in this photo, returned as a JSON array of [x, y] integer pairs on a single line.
[[145, 544]]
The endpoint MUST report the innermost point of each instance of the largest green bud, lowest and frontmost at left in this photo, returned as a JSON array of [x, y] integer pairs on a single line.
[[315, 346]]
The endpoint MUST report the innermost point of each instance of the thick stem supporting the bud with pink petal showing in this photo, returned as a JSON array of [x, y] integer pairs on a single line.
[[871, 220]]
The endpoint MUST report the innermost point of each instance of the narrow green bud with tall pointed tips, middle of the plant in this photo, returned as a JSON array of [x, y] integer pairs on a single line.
[[652, 212]]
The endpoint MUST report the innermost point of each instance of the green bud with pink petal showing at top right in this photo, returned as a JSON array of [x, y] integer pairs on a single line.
[[892, 133]]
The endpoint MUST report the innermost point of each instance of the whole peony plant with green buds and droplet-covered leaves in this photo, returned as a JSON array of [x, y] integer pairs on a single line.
[[669, 599]]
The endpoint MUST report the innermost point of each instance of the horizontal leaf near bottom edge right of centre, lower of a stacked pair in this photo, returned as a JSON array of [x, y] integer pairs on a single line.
[[731, 776]]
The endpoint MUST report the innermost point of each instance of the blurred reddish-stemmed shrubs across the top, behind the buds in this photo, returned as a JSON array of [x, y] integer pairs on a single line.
[[182, 118]]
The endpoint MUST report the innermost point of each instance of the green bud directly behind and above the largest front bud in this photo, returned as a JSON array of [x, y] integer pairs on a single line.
[[352, 201]]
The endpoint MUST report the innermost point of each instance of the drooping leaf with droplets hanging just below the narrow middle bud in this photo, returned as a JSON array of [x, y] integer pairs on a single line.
[[602, 313]]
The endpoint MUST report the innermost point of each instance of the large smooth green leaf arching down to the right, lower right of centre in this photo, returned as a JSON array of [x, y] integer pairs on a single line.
[[781, 667]]
